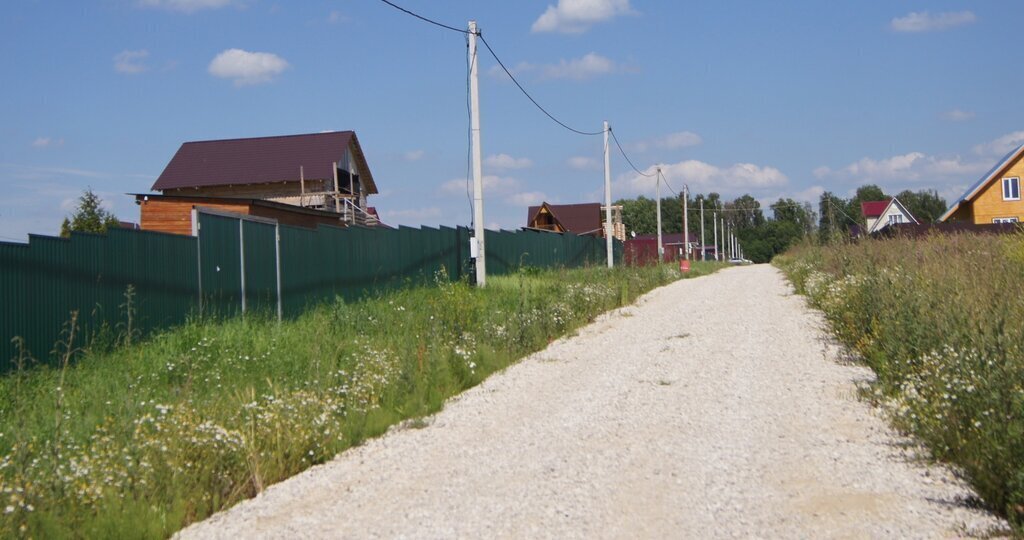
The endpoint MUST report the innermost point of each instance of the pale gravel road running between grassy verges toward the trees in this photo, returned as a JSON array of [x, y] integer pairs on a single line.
[[713, 407]]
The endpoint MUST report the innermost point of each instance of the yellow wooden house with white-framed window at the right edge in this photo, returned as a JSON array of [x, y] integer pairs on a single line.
[[996, 198]]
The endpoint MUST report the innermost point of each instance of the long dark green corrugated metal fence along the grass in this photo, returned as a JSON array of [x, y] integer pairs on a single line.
[[236, 265]]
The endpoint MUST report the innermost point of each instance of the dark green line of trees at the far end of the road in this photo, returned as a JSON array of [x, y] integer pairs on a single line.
[[787, 222]]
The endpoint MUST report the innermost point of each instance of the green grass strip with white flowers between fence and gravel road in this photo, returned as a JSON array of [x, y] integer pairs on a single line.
[[141, 441]]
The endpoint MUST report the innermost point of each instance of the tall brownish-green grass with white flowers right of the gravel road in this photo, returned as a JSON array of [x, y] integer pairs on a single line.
[[942, 322]]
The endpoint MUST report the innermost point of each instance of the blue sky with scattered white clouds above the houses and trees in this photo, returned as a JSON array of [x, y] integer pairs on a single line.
[[772, 99]]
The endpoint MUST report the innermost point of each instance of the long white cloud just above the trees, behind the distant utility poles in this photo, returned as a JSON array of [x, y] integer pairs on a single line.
[[703, 178]]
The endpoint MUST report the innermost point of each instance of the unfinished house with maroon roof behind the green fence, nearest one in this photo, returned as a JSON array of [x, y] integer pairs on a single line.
[[318, 178]]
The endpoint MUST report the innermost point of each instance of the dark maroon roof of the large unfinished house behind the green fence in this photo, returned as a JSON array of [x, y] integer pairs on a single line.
[[263, 160]]
